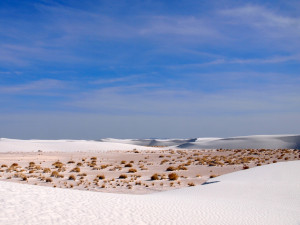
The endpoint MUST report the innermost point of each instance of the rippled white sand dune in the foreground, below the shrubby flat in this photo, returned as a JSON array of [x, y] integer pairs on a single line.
[[262, 195]]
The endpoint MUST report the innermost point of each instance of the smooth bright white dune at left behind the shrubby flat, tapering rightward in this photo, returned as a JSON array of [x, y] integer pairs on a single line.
[[14, 145]]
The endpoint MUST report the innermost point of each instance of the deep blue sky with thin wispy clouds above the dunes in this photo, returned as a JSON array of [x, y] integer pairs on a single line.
[[149, 69]]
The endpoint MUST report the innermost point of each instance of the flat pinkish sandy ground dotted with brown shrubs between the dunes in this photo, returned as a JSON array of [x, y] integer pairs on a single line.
[[132, 171]]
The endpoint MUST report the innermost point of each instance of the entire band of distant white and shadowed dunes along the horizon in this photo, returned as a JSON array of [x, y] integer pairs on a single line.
[[257, 141]]
